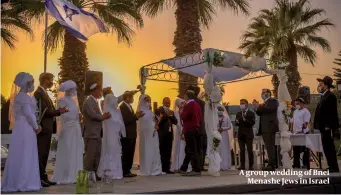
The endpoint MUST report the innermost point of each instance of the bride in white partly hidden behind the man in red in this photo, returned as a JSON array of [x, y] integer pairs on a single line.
[[178, 150]]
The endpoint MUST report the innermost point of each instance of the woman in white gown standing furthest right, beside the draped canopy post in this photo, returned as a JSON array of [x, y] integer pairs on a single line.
[[224, 126]]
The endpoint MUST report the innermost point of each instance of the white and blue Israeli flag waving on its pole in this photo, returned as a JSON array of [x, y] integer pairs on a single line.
[[80, 23]]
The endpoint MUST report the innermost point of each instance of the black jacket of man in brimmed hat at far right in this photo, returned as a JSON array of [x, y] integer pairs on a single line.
[[326, 113]]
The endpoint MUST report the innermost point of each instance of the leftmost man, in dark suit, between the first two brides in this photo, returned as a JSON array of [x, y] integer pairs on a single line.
[[48, 123]]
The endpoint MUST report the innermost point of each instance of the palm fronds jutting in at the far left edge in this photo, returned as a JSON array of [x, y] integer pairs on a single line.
[[12, 20]]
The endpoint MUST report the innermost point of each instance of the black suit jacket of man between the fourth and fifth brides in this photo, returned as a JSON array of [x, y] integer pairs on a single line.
[[166, 122]]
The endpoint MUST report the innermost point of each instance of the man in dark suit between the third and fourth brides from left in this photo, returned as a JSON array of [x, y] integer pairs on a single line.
[[128, 142]]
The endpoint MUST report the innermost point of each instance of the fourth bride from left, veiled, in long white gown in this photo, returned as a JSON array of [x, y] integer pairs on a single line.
[[150, 160]]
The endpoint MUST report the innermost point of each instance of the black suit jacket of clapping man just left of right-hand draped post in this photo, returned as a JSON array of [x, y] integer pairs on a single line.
[[268, 116]]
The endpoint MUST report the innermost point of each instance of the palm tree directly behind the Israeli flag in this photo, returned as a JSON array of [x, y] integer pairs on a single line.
[[116, 14]]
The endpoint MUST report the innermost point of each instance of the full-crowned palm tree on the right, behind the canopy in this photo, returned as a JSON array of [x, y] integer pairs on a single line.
[[286, 32]]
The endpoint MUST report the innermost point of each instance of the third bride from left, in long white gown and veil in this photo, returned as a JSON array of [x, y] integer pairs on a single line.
[[113, 130]]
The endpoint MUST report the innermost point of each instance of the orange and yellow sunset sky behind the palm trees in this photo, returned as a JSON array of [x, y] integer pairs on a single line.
[[120, 63]]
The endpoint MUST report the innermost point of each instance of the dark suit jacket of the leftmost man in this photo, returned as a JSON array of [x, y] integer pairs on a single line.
[[48, 122]]
